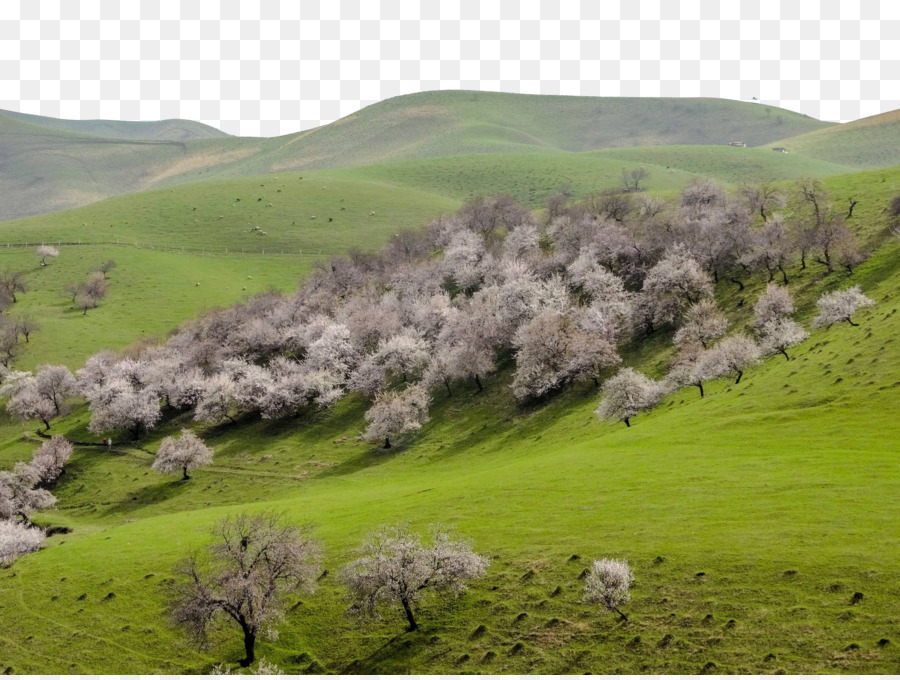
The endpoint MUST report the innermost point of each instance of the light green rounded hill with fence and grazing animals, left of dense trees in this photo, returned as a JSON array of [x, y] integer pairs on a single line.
[[154, 287]]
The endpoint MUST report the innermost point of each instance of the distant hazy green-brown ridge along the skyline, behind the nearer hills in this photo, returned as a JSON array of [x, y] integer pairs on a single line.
[[48, 165]]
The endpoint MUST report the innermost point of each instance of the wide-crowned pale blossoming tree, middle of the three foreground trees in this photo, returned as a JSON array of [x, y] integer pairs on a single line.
[[394, 567]]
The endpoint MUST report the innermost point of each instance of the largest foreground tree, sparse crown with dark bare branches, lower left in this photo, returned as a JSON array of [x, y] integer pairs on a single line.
[[244, 578]]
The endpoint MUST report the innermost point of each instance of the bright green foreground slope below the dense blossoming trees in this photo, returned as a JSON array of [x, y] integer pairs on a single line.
[[750, 518]]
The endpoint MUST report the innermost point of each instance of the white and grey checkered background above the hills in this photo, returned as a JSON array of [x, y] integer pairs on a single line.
[[271, 67]]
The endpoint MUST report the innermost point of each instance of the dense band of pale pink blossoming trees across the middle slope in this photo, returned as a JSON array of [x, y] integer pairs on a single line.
[[449, 304]]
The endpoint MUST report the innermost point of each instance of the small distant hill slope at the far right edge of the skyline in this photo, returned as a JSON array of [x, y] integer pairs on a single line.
[[866, 143]]
